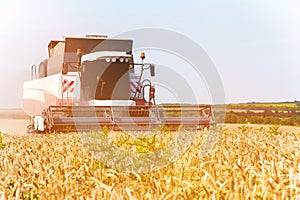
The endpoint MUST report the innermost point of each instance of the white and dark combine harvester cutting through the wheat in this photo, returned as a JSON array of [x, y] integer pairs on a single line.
[[92, 82]]
